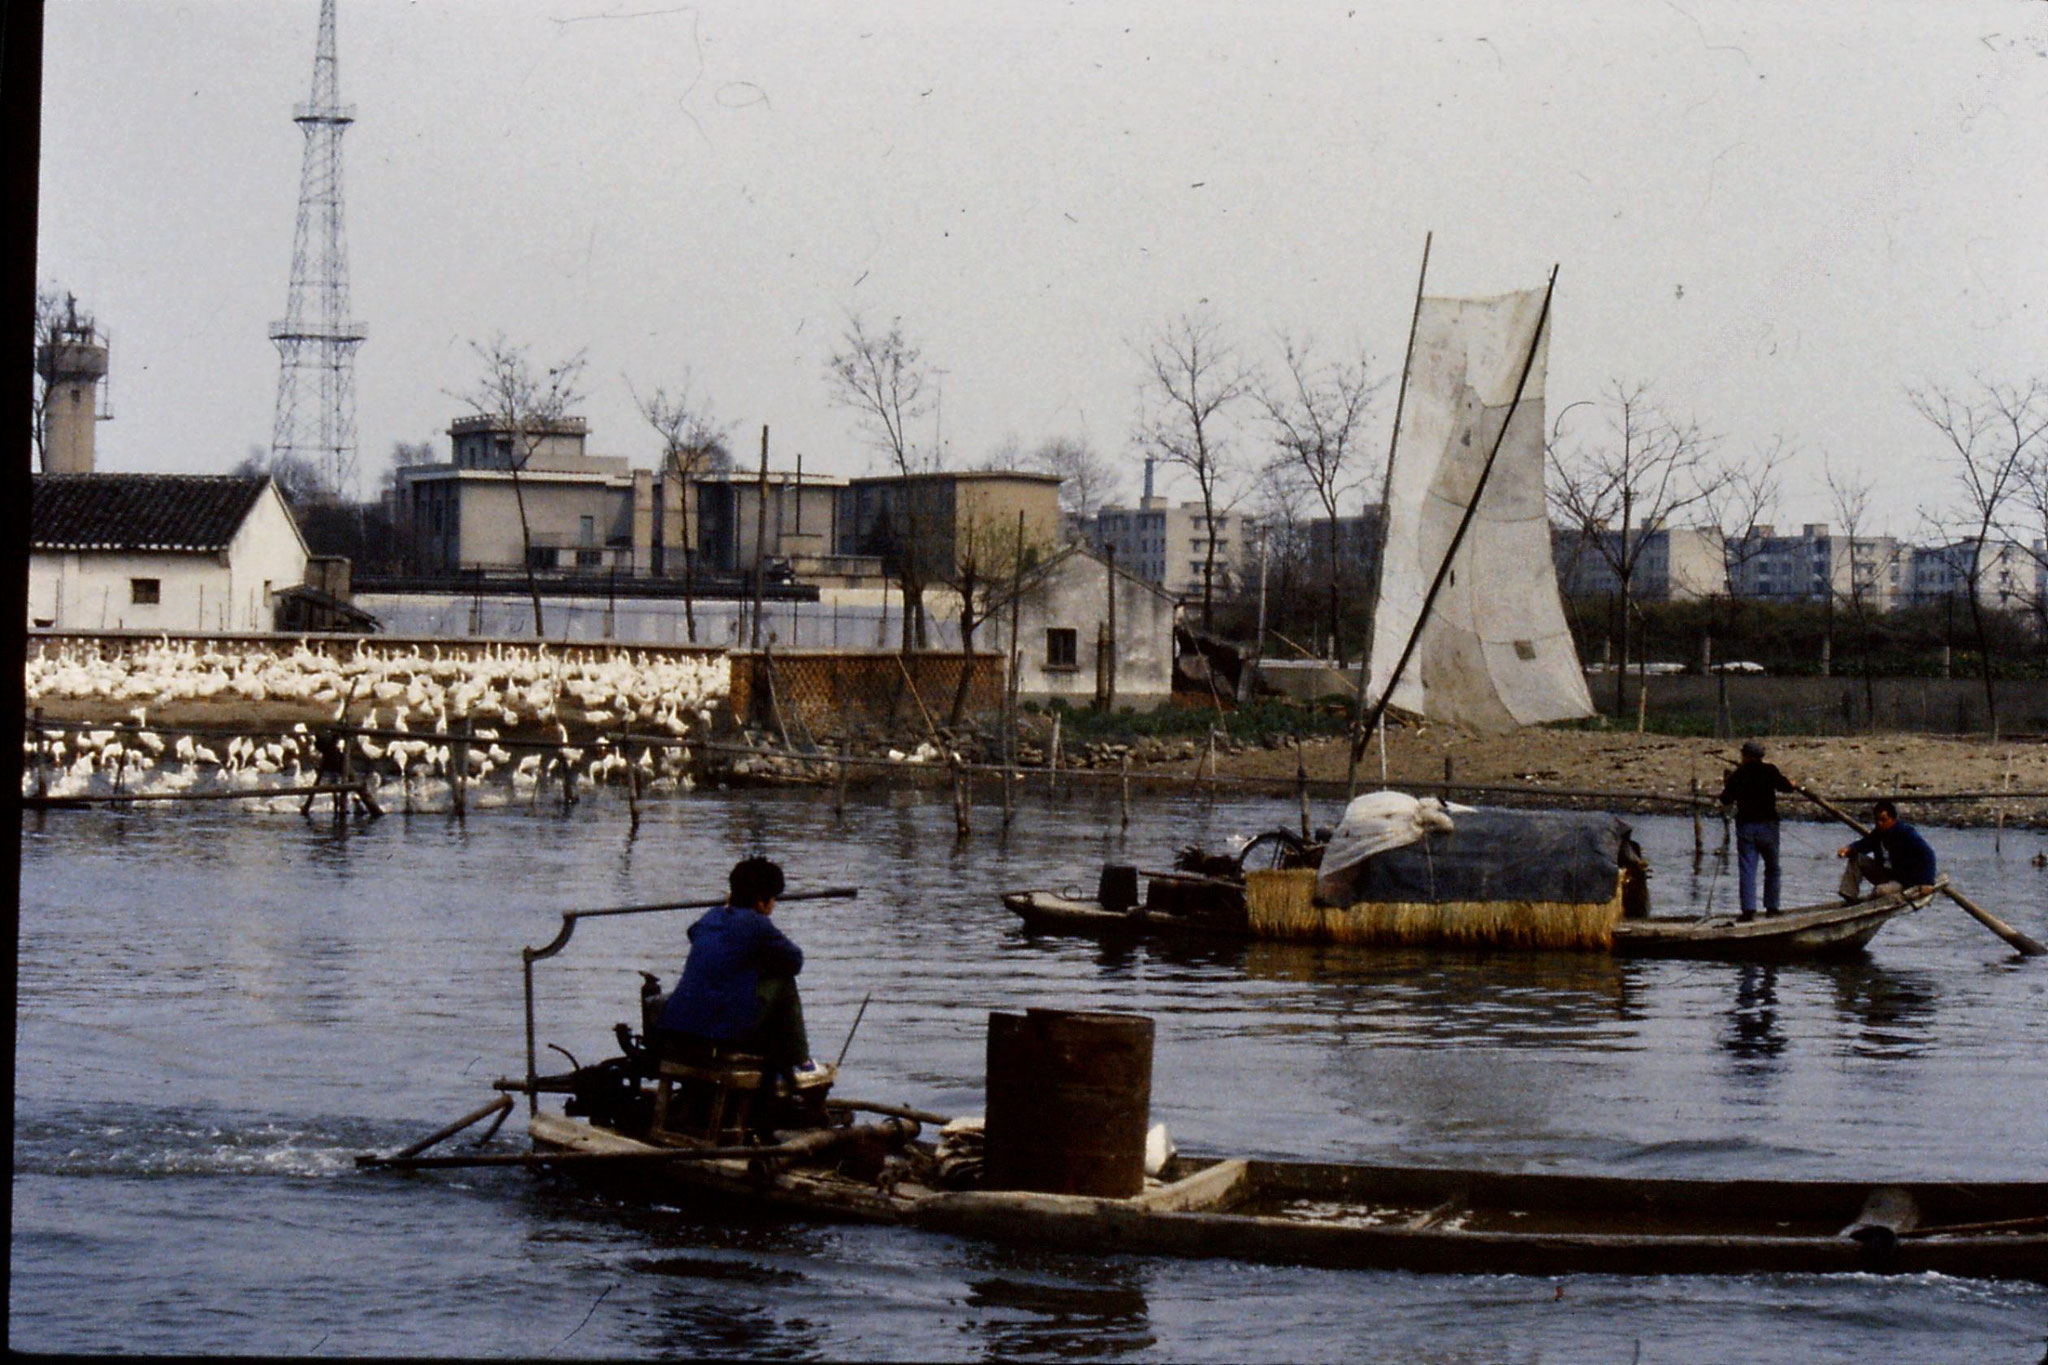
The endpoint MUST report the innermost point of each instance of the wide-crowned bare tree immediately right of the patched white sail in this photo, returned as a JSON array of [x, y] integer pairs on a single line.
[[1627, 486]]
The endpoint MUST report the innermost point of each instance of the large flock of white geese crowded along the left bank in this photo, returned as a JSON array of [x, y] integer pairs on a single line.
[[425, 691]]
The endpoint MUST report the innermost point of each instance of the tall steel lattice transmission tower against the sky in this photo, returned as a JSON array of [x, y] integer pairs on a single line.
[[316, 345]]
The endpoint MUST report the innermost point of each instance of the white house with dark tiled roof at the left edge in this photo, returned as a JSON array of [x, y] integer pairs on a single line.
[[161, 554]]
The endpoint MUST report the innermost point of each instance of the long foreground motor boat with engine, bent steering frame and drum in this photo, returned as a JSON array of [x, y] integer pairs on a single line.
[[697, 1131]]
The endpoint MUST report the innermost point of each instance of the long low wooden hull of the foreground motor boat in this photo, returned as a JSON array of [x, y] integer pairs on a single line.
[[1392, 1219]]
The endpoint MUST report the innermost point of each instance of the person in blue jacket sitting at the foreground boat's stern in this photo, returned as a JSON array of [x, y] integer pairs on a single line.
[[740, 981]]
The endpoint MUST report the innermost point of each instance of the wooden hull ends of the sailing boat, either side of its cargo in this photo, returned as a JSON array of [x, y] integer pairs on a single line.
[[1811, 932]]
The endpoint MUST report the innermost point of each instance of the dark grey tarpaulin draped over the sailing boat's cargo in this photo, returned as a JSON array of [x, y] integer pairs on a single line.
[[1498, 856]]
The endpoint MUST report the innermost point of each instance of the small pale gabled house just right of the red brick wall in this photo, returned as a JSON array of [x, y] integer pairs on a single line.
[[1064, 617]]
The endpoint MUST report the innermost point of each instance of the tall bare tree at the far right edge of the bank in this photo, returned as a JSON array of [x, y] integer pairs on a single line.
[[1996, 437]]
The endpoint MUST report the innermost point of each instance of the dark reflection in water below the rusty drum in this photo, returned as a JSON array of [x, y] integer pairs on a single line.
[[1027, 1319]]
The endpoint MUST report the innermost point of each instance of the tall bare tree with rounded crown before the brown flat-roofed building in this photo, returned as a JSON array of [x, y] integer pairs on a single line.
[[888, 384]]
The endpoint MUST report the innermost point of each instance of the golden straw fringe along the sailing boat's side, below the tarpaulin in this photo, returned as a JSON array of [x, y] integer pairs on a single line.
[[1283, 908]]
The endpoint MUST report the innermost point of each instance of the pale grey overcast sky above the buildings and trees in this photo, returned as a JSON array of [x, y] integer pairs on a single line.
[[1781, 216]]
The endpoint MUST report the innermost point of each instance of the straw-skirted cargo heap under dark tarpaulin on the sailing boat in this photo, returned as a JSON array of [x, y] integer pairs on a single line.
[[1455, 875]]
